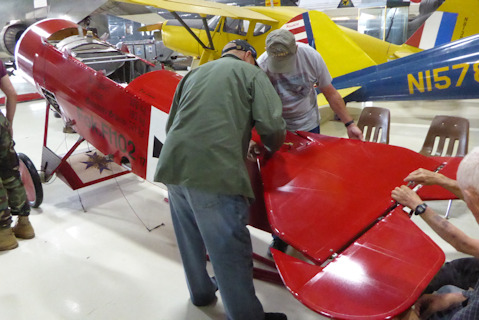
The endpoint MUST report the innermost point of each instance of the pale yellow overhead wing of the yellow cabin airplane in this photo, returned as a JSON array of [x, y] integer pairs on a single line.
[[204, 8]]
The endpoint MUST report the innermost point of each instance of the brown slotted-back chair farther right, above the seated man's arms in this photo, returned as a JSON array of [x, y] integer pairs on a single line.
[[447, 136]]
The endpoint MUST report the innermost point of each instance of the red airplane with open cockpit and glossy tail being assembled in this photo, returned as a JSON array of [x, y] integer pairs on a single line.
[[327, 197]]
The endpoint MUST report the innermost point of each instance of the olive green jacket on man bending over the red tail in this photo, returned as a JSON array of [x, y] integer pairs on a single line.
[[209, 127]]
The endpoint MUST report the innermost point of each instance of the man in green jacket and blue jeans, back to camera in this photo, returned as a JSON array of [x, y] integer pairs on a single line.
[[203, 165]]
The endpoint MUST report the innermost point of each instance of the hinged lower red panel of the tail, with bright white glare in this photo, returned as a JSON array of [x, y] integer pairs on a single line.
[[379, 276]]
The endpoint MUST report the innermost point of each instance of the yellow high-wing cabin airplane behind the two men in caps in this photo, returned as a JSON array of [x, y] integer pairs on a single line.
[[229, 22]]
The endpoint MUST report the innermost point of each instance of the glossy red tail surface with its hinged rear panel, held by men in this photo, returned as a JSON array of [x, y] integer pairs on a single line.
[[332, 202]]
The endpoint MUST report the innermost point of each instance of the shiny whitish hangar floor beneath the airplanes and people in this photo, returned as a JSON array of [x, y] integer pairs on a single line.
[[108, 251]]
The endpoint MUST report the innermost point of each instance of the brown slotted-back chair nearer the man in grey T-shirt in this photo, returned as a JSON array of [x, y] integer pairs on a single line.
[[374, 123]]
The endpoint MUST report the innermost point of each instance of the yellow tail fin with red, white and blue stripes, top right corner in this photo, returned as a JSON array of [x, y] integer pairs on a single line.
[[453, 20]]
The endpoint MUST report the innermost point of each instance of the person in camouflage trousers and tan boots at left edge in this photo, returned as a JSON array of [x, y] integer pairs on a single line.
[[13, 199]]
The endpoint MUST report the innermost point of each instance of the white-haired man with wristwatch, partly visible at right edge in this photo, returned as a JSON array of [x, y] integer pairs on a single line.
[[449, 302]]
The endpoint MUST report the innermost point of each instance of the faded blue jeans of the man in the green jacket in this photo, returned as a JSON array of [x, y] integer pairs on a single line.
[[216, 223]]
